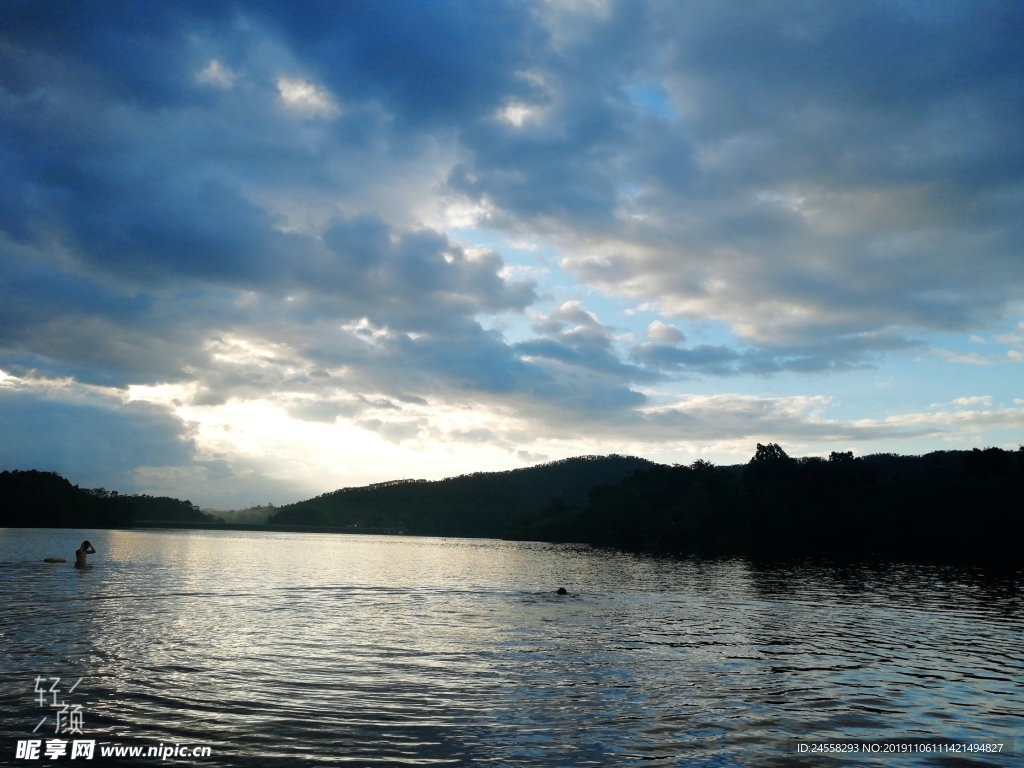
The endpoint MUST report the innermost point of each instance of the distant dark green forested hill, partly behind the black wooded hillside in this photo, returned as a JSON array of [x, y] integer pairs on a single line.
[[483, 504]]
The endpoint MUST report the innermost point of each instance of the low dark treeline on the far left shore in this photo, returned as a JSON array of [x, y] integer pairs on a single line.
[[46, 500]]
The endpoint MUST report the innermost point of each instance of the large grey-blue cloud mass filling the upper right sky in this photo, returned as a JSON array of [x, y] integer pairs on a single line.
[[821, 179]]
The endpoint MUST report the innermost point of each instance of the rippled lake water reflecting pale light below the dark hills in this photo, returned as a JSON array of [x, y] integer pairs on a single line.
[[307, 649]]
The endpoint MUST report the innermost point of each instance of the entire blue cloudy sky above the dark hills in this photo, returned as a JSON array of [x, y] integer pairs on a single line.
[[252, 252]]
